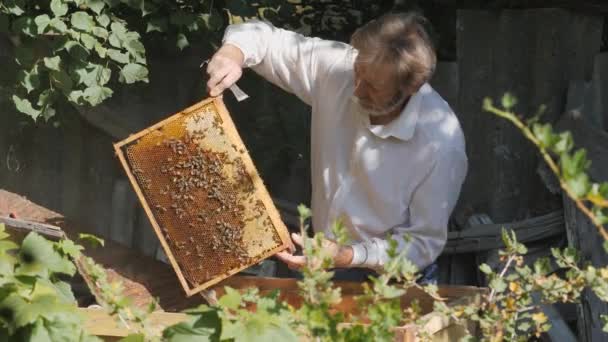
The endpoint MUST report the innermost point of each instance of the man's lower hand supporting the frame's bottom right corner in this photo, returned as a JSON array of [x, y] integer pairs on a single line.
[[342, 255]]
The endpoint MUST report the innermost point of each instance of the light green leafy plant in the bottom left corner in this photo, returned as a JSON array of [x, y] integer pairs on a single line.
[[35, 303]]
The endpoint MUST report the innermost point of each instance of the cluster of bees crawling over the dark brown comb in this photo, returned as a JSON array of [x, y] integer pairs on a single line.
[[202, 199]]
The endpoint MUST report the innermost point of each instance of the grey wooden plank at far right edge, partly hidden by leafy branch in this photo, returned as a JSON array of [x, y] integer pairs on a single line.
[[581, 233]]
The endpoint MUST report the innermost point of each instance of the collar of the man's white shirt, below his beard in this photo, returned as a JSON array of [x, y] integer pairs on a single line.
[[404, 125]]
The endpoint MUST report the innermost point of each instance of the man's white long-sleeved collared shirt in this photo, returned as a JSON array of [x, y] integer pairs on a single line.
[[391, 180]]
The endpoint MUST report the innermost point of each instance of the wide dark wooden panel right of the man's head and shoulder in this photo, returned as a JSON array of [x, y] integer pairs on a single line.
[[533, 54]]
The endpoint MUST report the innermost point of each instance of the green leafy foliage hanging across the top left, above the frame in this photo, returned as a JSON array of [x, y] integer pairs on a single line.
[[80, 51]]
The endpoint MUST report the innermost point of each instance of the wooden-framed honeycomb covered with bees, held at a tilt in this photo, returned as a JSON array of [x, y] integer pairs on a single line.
[[203, 195]]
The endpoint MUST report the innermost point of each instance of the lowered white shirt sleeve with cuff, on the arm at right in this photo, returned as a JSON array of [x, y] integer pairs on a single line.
[[430, 209]]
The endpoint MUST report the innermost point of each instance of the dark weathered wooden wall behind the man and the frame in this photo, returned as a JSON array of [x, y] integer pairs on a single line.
[[552, 56]]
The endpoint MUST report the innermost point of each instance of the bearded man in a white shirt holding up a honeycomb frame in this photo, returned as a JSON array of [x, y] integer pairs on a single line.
[[388, 154]]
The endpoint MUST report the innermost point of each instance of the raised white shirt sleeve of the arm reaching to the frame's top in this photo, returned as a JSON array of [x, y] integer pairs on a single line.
[[296, 63]]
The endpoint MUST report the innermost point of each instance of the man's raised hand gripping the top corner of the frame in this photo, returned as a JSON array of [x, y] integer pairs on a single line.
[[224, 69]]
